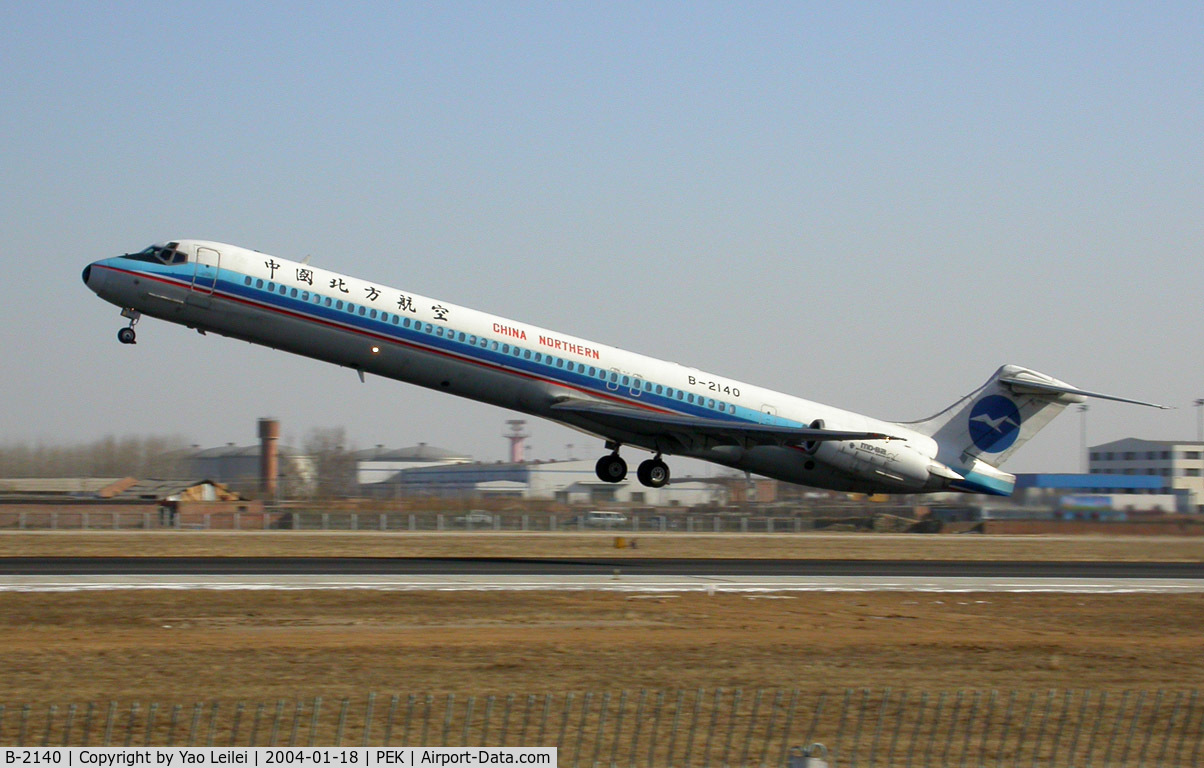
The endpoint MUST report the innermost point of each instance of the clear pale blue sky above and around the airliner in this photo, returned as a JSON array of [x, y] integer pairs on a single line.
[[871, 205]]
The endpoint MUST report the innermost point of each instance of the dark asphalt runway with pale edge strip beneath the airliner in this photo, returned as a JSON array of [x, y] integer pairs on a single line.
[[647, 576]]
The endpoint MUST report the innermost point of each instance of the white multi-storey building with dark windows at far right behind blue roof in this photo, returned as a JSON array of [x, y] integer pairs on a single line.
[[1178, 464]]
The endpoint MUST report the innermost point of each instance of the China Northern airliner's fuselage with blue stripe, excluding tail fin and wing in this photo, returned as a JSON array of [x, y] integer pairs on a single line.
[[402, 335]]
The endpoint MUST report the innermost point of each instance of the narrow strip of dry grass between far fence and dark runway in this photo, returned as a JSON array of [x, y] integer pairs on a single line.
[[600, 545]]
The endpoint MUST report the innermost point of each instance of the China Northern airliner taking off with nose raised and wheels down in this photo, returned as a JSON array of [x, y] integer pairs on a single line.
[[622, 398]]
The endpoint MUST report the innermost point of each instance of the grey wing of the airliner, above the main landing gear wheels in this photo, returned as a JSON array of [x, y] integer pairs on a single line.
[[656, 424]]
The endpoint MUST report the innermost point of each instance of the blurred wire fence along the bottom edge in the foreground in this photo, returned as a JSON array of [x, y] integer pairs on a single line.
[[658, 729]]
